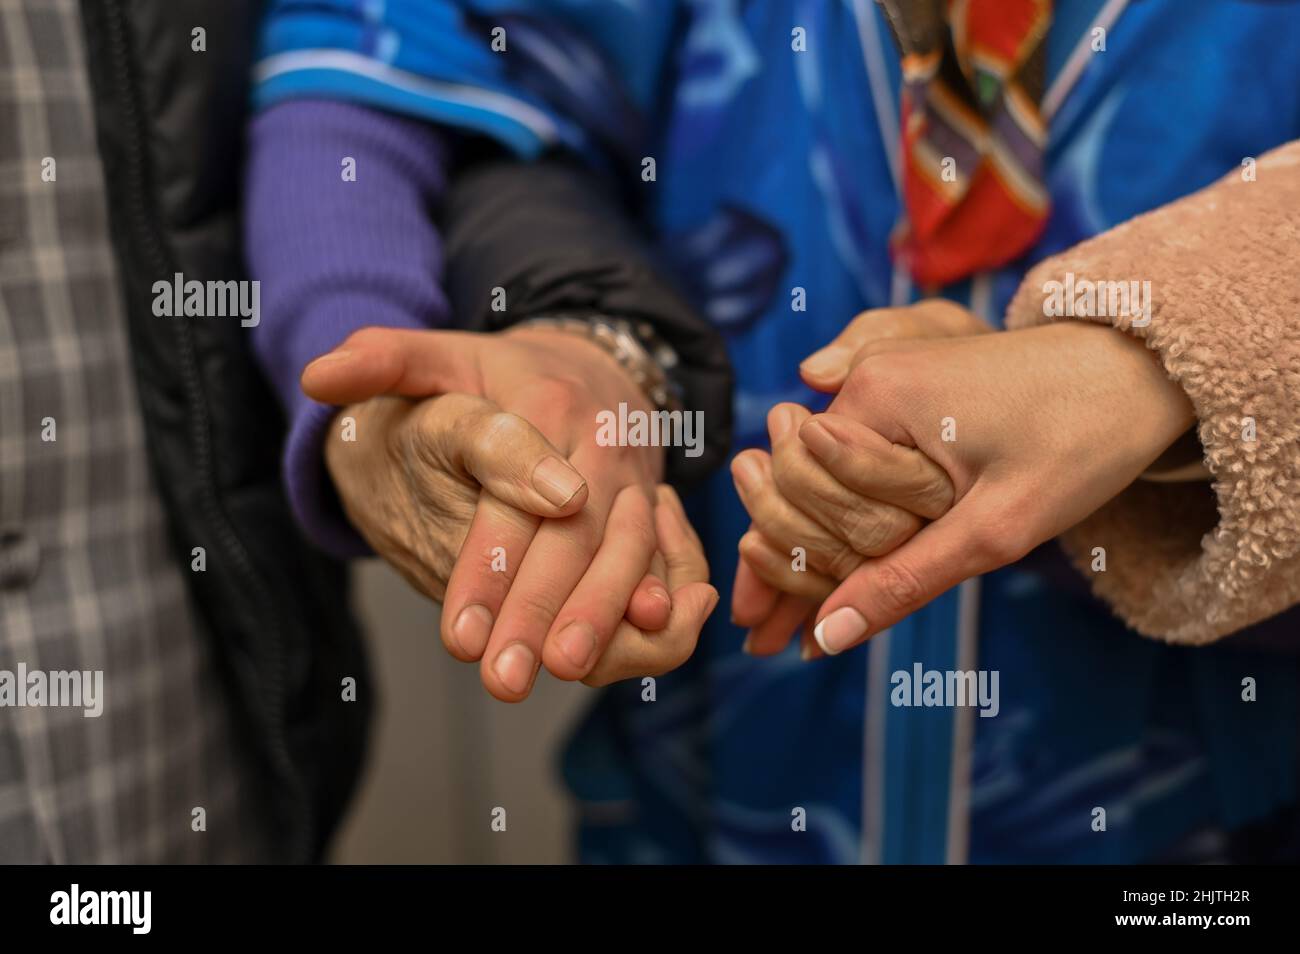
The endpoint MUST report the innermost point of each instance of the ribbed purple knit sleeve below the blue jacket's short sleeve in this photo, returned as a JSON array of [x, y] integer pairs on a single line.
[[335, 255]]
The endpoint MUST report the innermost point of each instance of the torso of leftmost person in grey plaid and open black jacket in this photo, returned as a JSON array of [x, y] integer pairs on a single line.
[[128, 441]]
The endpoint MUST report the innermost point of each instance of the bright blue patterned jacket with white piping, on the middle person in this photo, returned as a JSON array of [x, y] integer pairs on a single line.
[[773, 127]]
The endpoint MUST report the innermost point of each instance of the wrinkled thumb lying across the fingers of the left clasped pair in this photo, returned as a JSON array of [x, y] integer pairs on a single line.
[[470, 437]]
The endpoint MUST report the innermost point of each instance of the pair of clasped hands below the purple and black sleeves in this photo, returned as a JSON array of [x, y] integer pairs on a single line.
[[495, 497]]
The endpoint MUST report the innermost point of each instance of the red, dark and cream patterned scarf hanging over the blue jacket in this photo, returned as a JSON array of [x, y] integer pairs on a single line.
[[973, 136]]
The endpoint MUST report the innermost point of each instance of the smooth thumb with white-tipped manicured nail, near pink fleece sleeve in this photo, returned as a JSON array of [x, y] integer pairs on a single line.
[[882, 592]]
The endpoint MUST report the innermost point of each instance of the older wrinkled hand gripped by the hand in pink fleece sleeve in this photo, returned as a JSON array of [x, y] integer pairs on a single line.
[[837, 518]]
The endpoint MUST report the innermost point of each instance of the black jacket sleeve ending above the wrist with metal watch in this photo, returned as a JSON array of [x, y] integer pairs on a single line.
[[557, 240]]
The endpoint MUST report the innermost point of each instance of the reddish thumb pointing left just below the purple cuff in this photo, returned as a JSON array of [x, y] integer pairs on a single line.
[[391, 361]]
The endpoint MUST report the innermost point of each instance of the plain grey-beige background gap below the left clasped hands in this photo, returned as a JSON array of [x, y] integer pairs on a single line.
[[444, 753]]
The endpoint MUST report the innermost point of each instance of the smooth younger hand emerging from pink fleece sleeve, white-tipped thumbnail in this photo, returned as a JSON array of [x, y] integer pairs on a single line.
[[1035, 428]]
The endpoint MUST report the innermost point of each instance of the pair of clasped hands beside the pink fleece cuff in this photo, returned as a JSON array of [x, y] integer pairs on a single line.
[[947, 453]]
